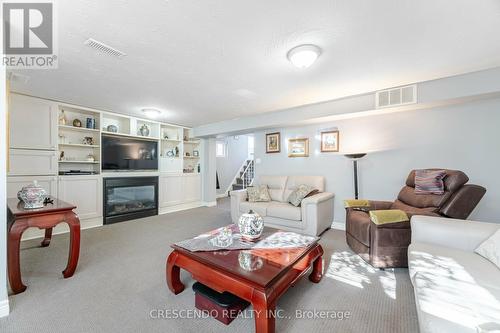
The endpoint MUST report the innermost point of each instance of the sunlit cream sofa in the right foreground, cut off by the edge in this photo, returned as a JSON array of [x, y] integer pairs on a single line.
[[456, 290]]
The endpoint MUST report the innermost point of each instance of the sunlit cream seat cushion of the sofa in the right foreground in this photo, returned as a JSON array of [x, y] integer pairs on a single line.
[[455, 290]]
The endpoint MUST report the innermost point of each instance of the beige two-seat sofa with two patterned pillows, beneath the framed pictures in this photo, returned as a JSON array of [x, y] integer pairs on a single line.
[[314, 216]]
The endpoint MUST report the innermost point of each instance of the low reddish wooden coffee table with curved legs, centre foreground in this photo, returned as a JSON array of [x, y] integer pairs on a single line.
[[259, 276]]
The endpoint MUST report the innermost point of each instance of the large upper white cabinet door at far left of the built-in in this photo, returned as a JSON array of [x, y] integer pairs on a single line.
[[33, 123]]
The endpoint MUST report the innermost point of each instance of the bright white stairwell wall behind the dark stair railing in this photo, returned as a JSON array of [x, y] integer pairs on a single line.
[[228, 166]]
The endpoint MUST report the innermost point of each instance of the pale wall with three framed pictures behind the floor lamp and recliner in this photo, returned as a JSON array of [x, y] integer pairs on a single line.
[[464, 137]]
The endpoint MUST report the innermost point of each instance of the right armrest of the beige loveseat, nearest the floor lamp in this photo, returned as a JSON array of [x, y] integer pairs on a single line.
[[317, 213]]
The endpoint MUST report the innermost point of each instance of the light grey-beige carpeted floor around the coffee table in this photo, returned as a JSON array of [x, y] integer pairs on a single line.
[[120, 284]]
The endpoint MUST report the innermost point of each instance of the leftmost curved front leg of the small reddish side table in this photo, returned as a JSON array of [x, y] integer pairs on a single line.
[[13, 248]]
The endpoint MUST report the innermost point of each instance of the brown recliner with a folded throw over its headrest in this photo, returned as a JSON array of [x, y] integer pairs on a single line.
[[386, 245]]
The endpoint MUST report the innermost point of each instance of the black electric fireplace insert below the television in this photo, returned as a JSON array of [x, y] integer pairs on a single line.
[[130, 198]]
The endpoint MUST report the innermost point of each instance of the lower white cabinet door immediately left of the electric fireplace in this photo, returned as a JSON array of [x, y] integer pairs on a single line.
[[85, 192]]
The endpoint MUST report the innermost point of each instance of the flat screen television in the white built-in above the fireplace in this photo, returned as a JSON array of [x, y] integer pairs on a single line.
[[121, 153]]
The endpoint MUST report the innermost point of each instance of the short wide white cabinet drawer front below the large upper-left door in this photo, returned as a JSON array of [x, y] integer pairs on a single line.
[[32, 162]]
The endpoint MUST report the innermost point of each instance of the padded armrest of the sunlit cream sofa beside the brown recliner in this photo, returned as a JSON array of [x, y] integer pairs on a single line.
[[457, 234]]
